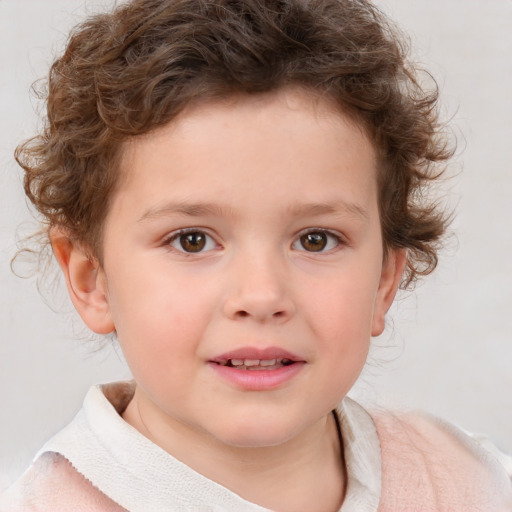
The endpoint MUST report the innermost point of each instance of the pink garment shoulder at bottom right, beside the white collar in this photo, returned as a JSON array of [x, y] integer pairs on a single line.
[[429, 463]]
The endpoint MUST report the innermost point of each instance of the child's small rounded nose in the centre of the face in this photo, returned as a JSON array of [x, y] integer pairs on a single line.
[[259, 289]]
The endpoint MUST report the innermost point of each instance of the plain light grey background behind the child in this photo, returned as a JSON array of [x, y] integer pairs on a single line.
[[448, 348]]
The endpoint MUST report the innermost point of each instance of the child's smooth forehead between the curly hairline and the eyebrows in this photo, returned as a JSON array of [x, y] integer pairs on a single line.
[[297, 143]]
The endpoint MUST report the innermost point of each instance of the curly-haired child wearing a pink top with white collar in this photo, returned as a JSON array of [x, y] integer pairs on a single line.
[[236, 189]]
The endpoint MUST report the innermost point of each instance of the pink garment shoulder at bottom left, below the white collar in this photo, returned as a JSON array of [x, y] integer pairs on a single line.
[[51, 484]]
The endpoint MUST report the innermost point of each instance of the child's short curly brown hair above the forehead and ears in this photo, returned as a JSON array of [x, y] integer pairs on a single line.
[[129, 71]]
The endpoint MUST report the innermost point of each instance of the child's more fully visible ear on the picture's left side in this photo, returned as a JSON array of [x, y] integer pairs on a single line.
[[85, 280]]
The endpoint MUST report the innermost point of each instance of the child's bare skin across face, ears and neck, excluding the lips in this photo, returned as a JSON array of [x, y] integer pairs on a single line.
[[254, 174]]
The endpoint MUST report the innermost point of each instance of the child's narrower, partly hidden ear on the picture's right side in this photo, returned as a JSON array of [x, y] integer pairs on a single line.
[[392, 270]]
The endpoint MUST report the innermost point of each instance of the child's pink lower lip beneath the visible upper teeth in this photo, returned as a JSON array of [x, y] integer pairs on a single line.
[[258, 380]]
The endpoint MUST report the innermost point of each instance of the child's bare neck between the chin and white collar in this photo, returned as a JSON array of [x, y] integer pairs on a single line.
[[302, 474]]
